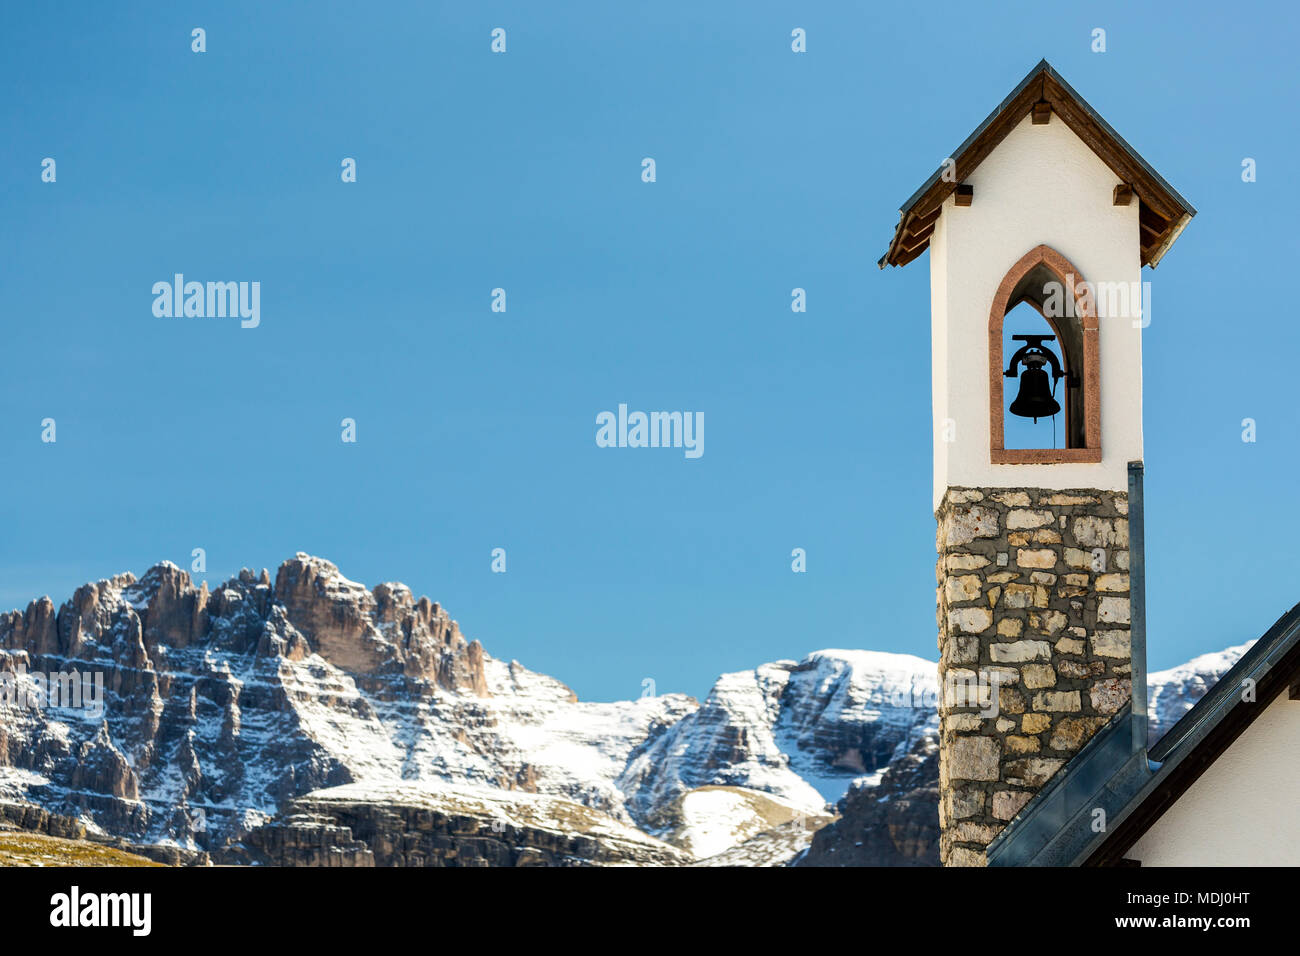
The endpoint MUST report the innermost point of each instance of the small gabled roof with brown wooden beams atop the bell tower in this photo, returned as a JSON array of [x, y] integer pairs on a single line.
[[1163, 213]]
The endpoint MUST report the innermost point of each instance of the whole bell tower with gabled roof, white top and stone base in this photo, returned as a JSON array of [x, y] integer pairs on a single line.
[[1038, 228]]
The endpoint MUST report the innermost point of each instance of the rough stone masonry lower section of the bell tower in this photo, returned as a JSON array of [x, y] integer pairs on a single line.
[[1033, 605]]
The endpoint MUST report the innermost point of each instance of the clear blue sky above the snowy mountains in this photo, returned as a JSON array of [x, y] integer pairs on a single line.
[[523, 171]]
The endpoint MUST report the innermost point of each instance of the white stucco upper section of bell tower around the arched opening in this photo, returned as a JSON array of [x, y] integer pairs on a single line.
[[1041, 185]]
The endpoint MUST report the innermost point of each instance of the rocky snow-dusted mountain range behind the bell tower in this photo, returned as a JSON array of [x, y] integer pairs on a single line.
[[310, 720]]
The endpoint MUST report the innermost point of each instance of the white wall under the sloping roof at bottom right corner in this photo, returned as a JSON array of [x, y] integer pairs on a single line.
[[1245, 811]]
